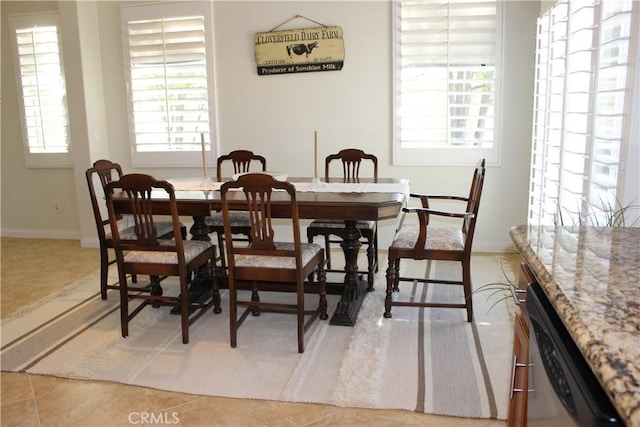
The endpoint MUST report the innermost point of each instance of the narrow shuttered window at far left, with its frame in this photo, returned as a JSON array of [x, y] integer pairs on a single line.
[[41, 86]]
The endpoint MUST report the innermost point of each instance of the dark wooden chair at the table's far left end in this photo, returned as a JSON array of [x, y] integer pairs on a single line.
[[98, 176]]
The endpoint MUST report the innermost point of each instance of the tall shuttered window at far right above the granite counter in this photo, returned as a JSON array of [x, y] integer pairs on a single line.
[[584, 71]]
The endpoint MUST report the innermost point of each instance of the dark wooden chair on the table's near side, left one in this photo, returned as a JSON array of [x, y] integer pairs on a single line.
[[145, 254]]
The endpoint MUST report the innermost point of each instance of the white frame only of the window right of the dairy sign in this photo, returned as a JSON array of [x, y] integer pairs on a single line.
[[450, 155]]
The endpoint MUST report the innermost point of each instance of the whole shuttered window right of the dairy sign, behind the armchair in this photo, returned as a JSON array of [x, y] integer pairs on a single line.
[[447, 61]]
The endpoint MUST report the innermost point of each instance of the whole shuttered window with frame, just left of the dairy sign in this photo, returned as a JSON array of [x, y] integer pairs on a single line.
[[169, 63]]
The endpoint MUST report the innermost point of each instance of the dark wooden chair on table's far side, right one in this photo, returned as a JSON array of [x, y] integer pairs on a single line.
[[351, 160]]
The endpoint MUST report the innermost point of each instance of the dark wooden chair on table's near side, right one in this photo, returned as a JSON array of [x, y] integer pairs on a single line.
[[267, 263]]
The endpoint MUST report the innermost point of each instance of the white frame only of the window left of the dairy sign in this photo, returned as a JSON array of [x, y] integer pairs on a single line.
[[156, 11]]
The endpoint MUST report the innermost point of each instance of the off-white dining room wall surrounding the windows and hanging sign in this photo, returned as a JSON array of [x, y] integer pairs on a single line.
[[277, 115]]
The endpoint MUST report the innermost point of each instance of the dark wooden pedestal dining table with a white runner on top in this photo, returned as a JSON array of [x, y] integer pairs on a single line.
[[366, 201]]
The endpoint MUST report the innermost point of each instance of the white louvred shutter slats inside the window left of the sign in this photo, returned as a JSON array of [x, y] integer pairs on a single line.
[[168, 83]]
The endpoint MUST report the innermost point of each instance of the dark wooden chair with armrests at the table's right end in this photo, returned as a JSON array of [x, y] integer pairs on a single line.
[[423, 241]]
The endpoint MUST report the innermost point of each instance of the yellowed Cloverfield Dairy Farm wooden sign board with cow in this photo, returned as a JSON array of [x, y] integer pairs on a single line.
[[299, 51]]
